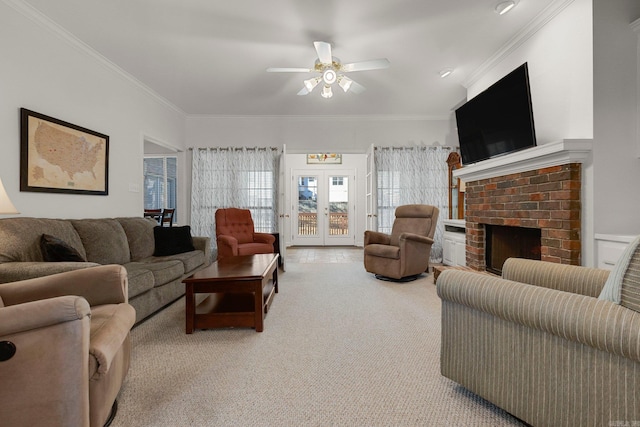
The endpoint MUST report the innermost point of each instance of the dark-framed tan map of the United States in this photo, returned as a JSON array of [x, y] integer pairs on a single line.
[[59, 157]]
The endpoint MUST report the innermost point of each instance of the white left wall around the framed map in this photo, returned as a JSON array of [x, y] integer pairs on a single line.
[[45, 70]]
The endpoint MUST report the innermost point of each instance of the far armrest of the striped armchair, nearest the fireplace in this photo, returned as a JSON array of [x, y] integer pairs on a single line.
[[568, 278]]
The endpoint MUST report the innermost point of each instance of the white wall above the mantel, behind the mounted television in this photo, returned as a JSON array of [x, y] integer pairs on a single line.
[[559, 56]]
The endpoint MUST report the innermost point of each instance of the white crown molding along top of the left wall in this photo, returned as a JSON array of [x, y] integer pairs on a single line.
[[45, 22]]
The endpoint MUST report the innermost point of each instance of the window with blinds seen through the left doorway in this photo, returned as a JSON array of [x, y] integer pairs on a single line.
[[160, 176]]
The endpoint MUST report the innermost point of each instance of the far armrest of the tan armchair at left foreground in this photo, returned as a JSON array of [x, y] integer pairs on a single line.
[[105, 284]]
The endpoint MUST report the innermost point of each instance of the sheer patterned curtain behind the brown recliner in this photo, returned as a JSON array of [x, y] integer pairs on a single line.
[[413, 175]]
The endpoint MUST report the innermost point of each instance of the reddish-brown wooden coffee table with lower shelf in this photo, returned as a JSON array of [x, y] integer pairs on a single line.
[[241, 290]]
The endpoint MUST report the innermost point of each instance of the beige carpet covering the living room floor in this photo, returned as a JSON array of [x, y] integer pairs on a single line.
[[340, 348]]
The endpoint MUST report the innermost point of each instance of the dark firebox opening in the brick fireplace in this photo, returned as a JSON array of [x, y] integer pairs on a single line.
[[504, 242]]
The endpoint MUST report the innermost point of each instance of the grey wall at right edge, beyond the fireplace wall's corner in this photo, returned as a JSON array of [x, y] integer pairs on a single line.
[[616, 166]]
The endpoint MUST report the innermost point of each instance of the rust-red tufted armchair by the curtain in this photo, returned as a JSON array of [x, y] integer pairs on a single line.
[[235, 234]]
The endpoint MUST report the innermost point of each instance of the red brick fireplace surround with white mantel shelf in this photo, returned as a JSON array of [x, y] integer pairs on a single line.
[[535, 193]]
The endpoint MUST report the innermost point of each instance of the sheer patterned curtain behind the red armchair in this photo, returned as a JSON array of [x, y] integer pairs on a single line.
[[243, 178]]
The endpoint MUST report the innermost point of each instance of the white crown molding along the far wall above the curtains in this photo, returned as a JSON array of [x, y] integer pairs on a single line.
[[321, 118]]
